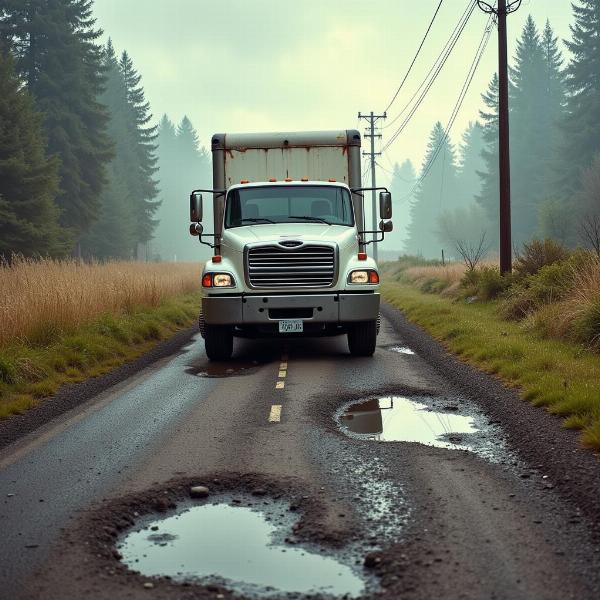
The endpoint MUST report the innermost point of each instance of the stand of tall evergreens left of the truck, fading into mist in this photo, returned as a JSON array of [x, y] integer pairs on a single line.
[[79, 155]]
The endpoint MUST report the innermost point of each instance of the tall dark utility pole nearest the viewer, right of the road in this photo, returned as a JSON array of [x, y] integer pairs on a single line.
[[501, 11]]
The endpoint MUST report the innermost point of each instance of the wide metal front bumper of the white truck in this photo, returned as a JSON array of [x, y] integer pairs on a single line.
[[260, 310]]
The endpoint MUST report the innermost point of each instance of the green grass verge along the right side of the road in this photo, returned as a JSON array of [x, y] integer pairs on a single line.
[[560, 376]]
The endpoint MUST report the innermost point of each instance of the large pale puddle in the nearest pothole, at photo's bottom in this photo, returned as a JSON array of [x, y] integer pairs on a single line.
[[239, 547]]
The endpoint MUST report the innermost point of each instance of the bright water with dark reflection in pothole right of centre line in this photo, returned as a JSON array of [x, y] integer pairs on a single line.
[[397, 419]]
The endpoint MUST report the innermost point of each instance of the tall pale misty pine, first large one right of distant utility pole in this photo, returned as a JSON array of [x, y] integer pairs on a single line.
[[436, 193]]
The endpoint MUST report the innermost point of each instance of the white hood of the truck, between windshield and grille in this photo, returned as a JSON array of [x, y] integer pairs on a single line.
[[235, 239]]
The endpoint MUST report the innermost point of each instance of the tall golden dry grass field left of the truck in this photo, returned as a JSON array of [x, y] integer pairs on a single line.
[[39, 296]]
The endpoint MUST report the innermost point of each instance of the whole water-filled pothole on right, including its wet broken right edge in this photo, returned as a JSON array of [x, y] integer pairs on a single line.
[[436, 423]]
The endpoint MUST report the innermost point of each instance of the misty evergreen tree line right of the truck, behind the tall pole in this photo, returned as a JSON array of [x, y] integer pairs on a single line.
[[555, 151]]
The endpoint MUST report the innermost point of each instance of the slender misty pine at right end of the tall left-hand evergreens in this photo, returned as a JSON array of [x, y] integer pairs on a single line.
[[140, 160]]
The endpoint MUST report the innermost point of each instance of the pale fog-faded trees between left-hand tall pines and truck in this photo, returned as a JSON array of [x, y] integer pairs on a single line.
[[183, 166]]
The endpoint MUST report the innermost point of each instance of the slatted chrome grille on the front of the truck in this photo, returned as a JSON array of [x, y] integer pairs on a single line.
[[275, 267]]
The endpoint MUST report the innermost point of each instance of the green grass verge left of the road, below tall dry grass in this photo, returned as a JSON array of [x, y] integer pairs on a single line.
[[33, 370]]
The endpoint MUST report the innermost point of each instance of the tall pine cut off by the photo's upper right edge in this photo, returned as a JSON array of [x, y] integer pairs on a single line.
[[582, 124]]
